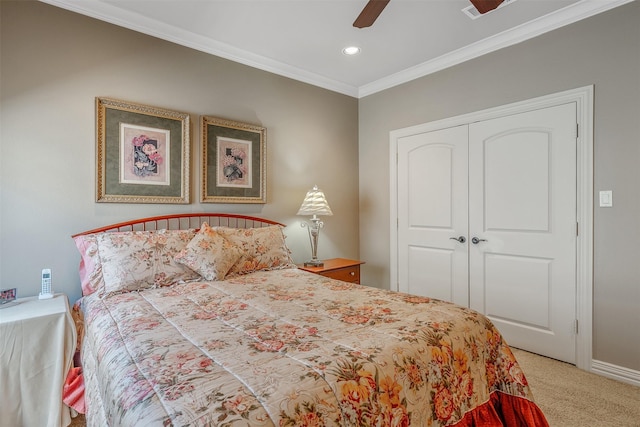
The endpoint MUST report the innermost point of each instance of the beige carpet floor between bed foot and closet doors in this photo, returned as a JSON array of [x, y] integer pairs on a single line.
[[570, 397]]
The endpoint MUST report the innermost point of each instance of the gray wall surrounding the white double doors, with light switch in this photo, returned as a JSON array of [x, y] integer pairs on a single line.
[[604, 51]]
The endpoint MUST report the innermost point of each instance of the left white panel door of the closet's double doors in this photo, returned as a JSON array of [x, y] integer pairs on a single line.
[[432, 214]]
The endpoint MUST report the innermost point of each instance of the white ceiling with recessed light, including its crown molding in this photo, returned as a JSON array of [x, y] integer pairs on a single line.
[[303, 39]]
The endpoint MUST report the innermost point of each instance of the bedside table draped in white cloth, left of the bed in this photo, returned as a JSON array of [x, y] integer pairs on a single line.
[[37, 343]]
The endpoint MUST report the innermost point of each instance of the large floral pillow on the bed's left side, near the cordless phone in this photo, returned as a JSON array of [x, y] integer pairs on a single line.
[[135, 260]]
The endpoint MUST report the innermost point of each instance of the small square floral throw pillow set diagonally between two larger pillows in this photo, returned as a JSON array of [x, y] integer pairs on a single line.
[[209, 254]]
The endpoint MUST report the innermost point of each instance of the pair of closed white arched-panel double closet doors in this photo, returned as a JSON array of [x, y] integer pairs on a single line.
[[487, 219]]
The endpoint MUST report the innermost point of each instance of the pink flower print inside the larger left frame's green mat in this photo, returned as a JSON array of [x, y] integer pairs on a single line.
[[144, 155]]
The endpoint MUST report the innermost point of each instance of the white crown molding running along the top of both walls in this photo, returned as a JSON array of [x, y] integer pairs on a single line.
[[133, 21]]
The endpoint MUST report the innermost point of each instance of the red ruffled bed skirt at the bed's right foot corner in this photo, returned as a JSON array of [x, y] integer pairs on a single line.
[[505, 410]]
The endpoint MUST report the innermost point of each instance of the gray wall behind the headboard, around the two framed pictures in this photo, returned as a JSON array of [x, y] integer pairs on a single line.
[[53, 65]]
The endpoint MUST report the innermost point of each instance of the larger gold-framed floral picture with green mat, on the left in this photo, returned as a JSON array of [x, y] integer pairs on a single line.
[[143, 153]]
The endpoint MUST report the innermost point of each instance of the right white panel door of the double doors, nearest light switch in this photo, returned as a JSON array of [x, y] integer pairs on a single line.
[[522, 211]]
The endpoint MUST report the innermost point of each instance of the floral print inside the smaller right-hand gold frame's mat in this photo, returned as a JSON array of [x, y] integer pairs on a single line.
[[234, 157]]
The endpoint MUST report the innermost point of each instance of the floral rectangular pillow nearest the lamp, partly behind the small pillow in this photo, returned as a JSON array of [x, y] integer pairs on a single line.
[[262, 249]]
